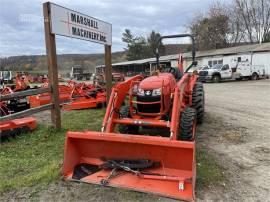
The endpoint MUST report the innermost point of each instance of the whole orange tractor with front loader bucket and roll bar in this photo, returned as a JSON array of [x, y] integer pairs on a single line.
[[123, 155]]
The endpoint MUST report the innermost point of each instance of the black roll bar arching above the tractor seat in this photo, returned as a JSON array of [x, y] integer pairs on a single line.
[[177, 36]]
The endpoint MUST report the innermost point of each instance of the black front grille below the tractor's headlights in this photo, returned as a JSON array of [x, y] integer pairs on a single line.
[[145, 108]]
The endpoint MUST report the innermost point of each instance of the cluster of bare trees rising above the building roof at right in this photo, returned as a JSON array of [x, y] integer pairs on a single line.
[[228, 24]]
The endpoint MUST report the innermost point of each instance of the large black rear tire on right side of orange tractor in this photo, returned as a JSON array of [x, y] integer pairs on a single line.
[[198, 101]]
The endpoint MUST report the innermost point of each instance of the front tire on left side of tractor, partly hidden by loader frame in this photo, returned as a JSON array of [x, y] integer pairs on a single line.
[[127, 129]]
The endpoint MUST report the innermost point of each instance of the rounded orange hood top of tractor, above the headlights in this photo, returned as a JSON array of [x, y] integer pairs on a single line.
[[154, 82]]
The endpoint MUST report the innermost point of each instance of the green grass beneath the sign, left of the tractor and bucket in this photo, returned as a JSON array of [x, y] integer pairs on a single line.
[[36, 158]]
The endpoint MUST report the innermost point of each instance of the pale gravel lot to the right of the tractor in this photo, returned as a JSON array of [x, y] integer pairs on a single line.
[[237, 129]]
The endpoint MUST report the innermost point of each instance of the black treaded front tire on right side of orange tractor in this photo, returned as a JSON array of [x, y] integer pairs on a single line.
[[187, 124]]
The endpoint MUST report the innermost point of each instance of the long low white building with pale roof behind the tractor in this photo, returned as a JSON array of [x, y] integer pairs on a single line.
[[256, 54]]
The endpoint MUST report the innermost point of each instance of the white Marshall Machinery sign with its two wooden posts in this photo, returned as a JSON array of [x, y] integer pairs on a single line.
[[59, 20]]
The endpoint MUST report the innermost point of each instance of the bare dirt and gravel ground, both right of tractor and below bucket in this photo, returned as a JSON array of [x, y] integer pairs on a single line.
[[236, 131]]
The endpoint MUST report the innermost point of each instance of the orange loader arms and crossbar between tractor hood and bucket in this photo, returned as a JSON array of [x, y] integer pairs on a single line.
[[182, 97]]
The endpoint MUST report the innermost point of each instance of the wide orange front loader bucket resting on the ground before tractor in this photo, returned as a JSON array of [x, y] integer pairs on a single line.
[[174, 177]]
